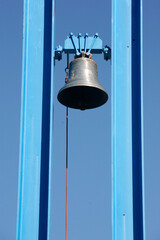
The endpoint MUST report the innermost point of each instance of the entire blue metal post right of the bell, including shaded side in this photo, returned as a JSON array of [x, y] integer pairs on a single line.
[[127, 121]]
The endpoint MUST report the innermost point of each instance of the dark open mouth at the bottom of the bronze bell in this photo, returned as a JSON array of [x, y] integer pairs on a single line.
[[82, 97]]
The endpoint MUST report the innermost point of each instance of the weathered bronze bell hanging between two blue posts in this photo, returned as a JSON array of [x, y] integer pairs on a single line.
[[82, 90]]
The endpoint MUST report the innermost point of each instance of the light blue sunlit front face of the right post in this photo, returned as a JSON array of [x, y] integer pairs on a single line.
[[122, 120]]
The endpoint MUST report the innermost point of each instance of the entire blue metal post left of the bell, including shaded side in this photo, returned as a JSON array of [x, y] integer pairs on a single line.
[[36, 121]]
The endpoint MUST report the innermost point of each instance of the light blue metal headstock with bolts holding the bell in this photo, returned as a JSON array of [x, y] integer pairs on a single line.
[[86, 44]]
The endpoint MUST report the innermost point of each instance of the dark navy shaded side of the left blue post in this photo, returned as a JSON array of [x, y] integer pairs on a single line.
[[44, 177]]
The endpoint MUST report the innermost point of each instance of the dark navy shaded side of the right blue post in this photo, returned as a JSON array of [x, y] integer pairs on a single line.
[[137, 122]]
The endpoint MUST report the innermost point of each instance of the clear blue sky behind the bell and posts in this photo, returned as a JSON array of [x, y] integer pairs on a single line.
[[89, 203]]
